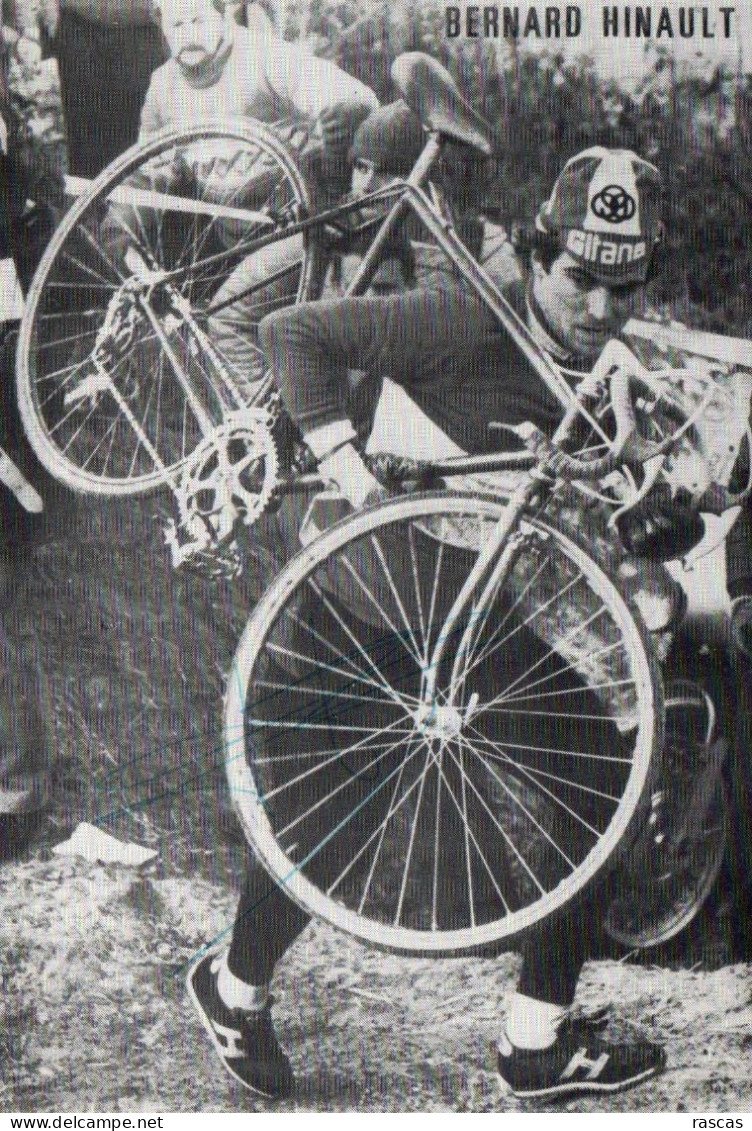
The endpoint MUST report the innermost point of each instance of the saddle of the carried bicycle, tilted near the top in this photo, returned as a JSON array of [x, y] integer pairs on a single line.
[[430, 91]]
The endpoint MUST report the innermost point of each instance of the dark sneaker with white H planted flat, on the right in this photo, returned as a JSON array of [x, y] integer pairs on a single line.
[[580, 1060]]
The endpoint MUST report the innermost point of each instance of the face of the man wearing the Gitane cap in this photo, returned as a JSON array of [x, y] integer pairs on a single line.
[[582, 313]]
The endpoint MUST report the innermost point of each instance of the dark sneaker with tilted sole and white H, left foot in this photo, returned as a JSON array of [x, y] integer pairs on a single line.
[[246, 1042]]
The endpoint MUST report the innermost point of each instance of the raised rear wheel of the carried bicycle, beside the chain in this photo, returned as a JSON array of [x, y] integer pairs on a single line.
[[98, 370]]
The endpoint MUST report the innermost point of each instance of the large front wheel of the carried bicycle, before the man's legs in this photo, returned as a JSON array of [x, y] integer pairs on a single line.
[[437, 833]]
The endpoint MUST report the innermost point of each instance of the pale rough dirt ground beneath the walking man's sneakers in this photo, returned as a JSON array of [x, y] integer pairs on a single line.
[[94, 1015]]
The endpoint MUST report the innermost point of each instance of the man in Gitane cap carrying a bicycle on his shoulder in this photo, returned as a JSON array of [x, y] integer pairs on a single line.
[[589, 265]]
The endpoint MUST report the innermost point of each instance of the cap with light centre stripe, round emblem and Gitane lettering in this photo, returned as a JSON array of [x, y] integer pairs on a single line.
[[606, 208]]
